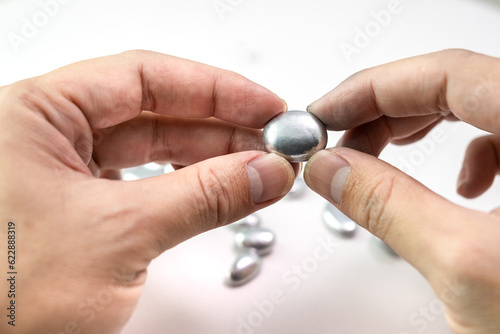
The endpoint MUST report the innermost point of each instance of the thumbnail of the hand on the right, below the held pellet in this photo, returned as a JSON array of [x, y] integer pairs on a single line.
[[326, 174]]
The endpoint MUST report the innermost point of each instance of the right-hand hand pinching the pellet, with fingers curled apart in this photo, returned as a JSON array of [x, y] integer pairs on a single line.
[[456, 249]]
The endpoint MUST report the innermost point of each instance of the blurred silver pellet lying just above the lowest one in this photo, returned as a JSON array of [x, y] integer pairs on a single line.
[[258, 239]]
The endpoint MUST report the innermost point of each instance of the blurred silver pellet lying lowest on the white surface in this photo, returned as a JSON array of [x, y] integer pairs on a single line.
[[246, 267]]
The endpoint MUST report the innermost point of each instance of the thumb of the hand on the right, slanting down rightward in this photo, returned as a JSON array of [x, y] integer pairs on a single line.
[[410, 218]]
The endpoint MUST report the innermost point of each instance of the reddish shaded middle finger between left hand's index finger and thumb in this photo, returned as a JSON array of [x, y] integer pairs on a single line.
[[181, 141]]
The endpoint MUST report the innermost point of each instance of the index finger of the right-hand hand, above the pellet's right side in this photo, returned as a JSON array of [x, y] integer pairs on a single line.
[[460, 81]]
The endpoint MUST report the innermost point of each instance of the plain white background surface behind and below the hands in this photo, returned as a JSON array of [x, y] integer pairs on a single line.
[[293, 48]]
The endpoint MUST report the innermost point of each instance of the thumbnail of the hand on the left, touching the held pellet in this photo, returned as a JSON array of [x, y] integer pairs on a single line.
[[270, 176]]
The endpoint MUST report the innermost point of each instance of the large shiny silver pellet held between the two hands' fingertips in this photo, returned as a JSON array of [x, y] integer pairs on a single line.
[[295, 135]]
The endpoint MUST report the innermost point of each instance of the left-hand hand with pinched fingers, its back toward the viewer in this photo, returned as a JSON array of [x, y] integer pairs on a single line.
[[84, 243]]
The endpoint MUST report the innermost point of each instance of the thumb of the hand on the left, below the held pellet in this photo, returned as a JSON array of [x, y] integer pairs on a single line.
[[210, 194]]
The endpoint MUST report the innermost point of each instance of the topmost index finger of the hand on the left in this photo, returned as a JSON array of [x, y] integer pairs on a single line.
[[114, 89]]
